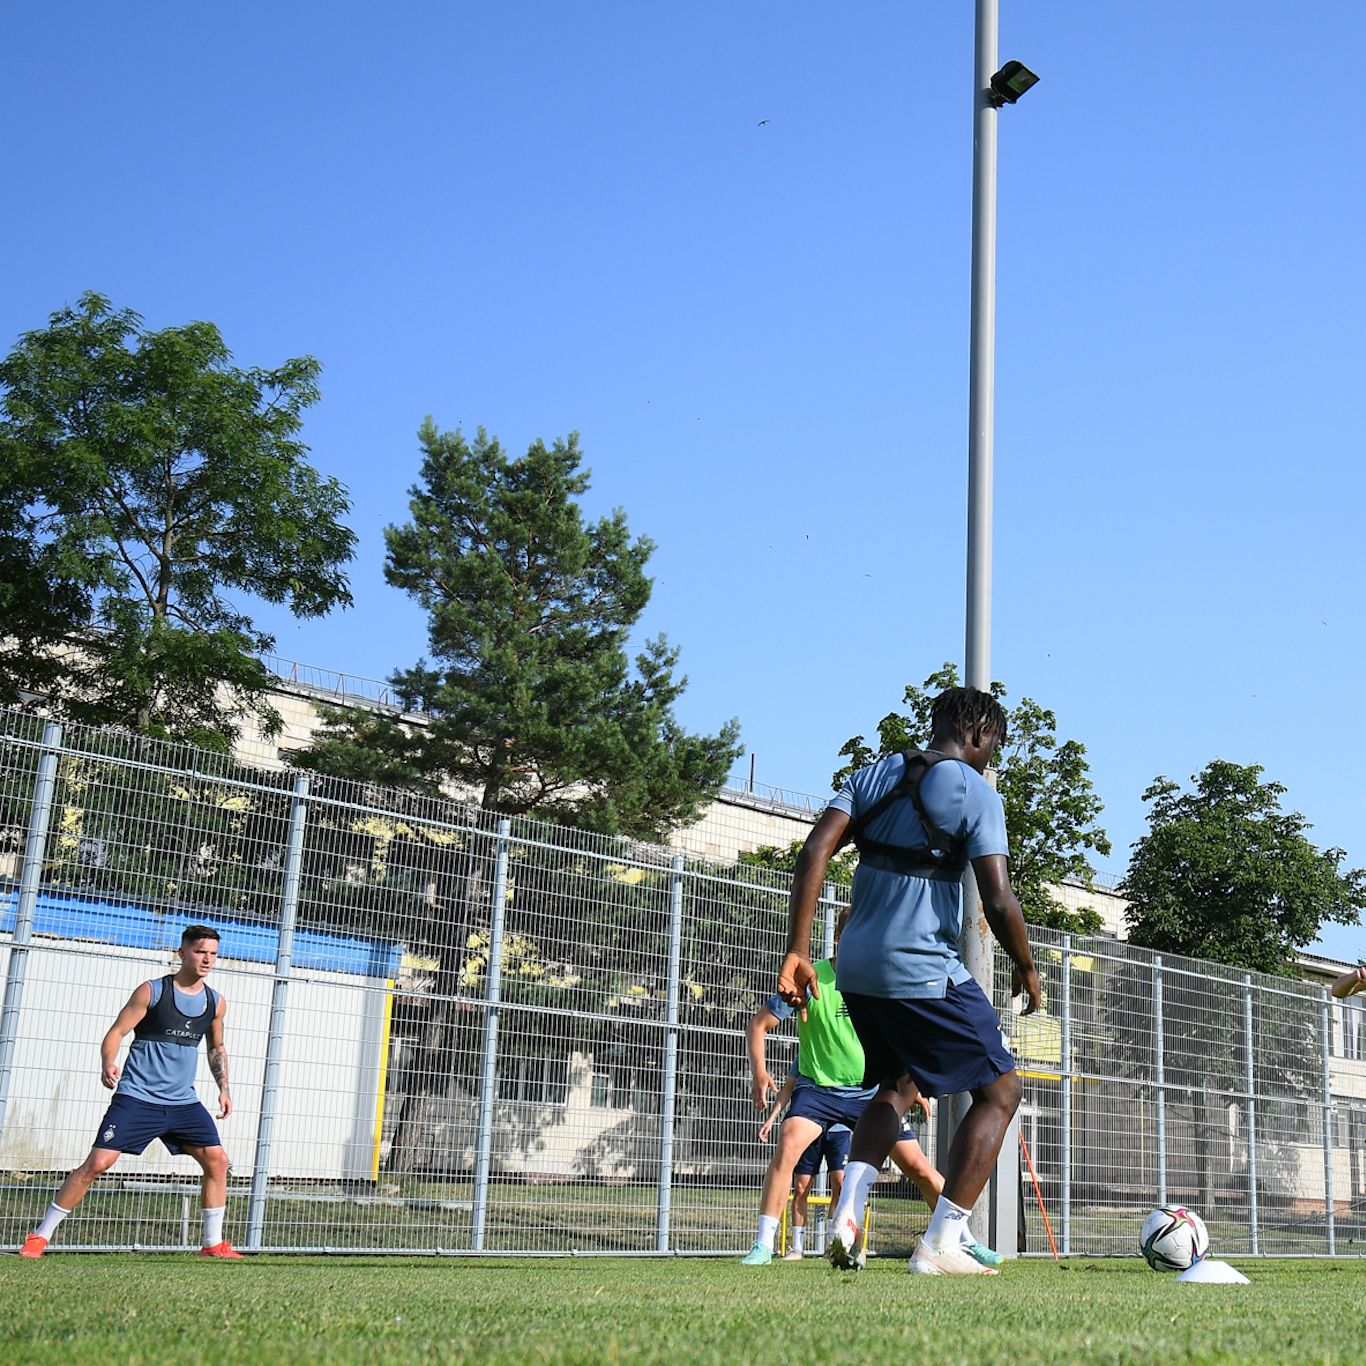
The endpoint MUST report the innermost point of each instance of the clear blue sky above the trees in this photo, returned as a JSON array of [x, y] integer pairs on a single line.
[[544, 218]]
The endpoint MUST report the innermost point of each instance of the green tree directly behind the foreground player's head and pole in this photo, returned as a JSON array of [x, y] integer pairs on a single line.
[[1051, 807]]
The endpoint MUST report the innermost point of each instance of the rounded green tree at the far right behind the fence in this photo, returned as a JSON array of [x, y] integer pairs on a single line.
[[1223, 874]]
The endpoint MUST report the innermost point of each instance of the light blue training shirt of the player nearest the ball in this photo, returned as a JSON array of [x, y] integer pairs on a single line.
[[901, 940]]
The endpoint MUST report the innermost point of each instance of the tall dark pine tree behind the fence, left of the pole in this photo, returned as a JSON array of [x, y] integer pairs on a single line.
[[531, 696]]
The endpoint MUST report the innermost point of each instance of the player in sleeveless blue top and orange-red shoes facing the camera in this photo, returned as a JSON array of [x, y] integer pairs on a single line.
[[155, 1091]]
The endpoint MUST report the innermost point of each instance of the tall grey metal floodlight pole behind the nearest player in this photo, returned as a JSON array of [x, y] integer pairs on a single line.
[[998, 1208]]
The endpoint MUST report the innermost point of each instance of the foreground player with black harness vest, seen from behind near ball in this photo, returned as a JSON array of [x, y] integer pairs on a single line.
[[917, 820]]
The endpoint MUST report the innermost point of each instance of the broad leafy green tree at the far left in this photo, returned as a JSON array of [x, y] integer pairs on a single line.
[[151, 482]]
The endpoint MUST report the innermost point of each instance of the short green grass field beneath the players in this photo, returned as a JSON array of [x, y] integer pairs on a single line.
[[125, 1309]]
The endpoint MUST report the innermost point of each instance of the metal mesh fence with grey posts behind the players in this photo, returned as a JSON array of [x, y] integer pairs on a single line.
[[457, 1035]]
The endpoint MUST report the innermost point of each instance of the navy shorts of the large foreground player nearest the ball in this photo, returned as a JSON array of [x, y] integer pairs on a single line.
[[945, 1046]]
